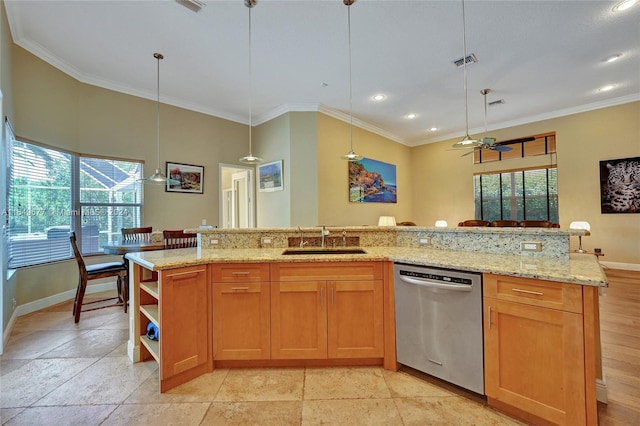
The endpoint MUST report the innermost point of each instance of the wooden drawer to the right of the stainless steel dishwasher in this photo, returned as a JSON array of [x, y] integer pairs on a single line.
[[548, 294]]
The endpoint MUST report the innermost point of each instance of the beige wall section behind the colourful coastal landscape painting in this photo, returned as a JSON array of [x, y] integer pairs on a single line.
[[334, 207]]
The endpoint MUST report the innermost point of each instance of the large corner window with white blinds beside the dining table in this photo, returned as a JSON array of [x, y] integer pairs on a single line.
[[51, 192]]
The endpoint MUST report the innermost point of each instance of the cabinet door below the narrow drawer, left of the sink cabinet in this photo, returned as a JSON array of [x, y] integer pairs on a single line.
[[241, 317]]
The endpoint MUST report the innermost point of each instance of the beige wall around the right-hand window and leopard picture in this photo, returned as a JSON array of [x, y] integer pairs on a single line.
[[444, 188]]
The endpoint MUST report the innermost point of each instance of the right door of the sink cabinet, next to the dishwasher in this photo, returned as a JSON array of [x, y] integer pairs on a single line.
[[355, 319]]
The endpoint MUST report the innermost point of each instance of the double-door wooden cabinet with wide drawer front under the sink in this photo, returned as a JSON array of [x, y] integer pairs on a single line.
[[327, 310]]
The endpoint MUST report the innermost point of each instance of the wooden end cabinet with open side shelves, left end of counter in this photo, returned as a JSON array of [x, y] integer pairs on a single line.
[[179, 303]]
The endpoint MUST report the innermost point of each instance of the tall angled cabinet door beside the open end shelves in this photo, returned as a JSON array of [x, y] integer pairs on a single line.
[[184, 321]]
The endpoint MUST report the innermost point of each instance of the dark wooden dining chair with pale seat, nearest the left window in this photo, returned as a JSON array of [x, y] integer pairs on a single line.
[[93, 272]]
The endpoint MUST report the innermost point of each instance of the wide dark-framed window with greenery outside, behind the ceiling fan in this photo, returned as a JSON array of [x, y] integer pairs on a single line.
[[517, 195]]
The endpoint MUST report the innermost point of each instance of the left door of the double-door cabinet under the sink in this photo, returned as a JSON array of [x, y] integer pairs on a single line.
[[298, 320]]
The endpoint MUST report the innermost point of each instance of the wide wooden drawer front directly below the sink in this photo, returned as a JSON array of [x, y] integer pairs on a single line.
[[311, 271]]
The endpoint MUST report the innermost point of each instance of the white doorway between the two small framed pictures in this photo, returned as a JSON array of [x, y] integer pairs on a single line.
[[236, 197]]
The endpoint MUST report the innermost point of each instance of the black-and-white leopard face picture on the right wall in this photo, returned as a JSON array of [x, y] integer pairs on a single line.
[[619, 185]]
